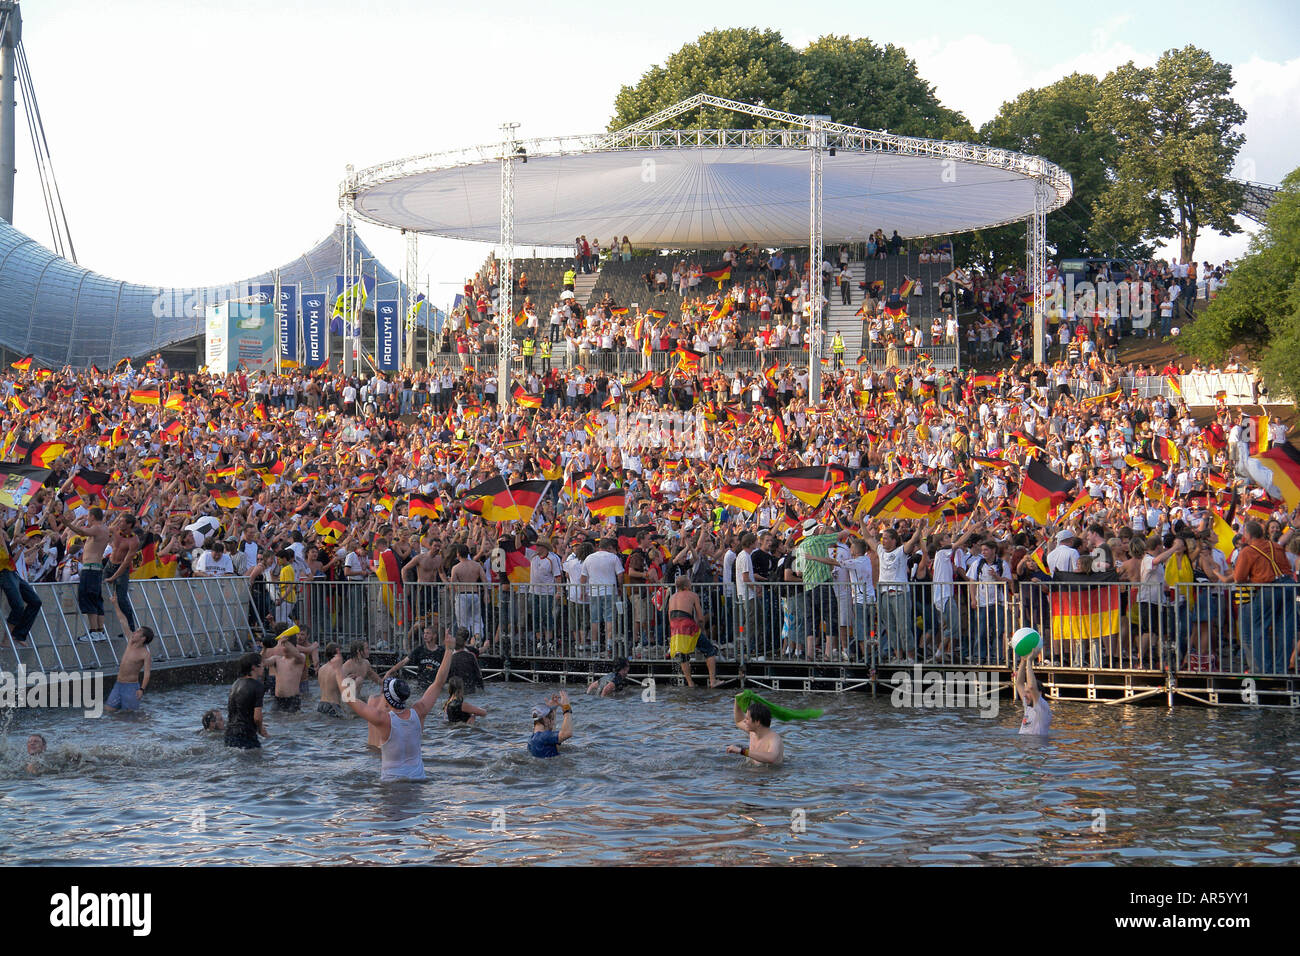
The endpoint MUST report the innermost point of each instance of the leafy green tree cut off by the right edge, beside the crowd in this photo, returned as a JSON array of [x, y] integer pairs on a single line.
[[1259, 310]]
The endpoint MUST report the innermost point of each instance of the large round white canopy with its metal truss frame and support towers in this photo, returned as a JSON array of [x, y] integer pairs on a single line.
[[803, 181]]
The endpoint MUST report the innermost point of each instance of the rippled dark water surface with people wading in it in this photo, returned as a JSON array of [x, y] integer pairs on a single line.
[[647, 784]]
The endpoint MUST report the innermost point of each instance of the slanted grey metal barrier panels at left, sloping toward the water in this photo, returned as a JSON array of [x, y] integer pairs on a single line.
[[193, 618]]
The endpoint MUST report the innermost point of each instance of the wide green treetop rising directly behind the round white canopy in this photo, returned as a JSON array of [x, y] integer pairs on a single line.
[[853, 81]]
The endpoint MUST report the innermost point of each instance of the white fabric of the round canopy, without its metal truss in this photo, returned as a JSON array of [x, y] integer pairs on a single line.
[[699, 198]]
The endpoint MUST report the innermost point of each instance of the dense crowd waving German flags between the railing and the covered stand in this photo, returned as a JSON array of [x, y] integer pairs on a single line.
[[305, 479]]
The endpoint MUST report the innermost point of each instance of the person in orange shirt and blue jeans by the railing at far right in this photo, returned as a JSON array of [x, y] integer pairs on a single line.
[[1269, 618]]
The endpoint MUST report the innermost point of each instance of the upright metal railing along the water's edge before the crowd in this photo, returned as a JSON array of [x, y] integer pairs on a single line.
[[1203, 629]]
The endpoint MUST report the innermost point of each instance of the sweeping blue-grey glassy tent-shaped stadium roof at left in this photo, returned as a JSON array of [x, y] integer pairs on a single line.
[[66, 315]]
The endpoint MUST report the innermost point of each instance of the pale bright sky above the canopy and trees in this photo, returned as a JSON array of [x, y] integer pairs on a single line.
[[200, 144]]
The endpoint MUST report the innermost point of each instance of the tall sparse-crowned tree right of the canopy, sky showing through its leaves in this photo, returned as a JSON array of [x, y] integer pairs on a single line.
[[1177, 129]]
